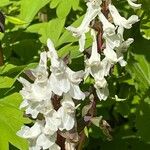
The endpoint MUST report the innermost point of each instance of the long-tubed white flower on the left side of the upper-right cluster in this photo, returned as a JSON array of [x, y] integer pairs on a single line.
[[92, 11]]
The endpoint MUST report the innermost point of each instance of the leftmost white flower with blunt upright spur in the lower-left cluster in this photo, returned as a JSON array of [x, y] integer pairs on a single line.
[[39, 90]]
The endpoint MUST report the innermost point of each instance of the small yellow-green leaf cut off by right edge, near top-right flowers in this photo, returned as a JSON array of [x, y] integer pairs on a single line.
[[145, 25]]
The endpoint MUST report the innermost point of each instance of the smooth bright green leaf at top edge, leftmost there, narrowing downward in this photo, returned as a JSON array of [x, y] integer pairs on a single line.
[[30, 8]]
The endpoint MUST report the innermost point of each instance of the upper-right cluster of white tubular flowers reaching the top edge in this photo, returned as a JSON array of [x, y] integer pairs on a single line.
[[114, 43]]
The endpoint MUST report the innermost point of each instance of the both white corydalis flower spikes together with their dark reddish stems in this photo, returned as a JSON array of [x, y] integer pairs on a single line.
[[53, 97]]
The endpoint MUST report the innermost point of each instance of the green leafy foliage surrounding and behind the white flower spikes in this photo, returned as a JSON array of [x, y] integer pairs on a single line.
[[28, 25]]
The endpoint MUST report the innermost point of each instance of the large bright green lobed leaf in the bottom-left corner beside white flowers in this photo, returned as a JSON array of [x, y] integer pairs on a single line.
[[11, 121]]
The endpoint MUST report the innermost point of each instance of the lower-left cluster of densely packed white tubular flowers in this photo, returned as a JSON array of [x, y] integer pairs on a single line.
[[39, 100]]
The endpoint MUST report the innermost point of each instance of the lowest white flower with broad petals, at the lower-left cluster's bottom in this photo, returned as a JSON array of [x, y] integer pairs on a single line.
[[37, 138]]
